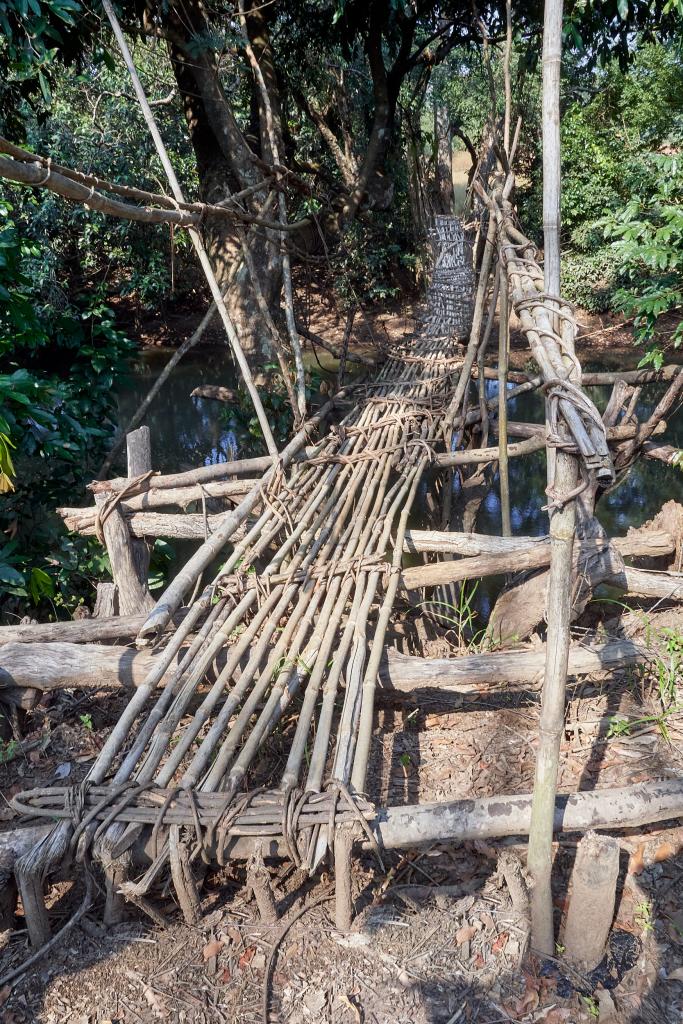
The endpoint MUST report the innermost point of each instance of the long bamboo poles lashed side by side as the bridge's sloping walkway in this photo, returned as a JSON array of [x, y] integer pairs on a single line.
[[312, 627]]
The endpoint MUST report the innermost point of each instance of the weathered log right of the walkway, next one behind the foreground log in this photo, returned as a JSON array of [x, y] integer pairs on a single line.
[[463, 675]]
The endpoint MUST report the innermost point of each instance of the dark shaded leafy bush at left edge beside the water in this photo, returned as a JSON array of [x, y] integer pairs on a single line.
[[59, 365]]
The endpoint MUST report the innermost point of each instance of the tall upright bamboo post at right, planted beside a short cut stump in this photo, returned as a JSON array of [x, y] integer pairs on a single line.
[[563, 527]]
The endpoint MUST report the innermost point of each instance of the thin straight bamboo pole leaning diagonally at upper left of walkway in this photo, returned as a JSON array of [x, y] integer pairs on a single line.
[[217, 293]]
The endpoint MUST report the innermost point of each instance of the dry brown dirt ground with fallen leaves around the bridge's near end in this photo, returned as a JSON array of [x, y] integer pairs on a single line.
[[437, 940]]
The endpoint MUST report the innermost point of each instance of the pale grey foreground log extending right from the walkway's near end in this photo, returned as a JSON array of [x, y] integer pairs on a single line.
[[494, 818]]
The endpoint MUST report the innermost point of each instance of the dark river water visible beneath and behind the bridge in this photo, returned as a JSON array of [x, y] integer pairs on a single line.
[[189, 433]]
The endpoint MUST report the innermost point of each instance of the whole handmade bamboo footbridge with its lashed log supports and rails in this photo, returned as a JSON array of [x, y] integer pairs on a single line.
[[297, 617]]
